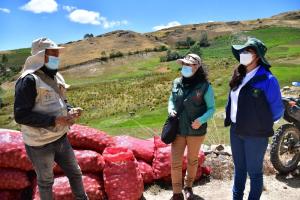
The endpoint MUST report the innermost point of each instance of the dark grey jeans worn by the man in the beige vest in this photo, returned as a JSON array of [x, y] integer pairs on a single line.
[[43, 158]]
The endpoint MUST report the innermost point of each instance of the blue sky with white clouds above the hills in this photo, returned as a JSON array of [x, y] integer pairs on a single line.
[[65, 20]]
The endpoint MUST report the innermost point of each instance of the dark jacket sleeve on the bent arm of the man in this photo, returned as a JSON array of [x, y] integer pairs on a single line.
[[25, 94]]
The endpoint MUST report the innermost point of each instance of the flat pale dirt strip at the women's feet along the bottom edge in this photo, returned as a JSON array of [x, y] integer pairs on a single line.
[[276, 188]]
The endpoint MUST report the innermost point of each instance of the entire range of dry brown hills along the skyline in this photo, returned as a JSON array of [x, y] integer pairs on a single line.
[[124, 41]]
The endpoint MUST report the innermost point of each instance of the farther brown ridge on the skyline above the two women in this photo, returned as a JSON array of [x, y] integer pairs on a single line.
[[214, 29]]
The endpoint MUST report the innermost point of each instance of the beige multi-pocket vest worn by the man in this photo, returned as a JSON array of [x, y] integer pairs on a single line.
[[50, 102]]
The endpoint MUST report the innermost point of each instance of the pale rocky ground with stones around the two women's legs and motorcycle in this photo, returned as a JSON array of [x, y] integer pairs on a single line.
[[219, 184]]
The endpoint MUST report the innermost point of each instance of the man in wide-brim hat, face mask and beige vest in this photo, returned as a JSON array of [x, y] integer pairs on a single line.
[[45, 117]]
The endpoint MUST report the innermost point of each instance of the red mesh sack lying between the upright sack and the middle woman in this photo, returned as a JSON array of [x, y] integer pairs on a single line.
[[142, 149]]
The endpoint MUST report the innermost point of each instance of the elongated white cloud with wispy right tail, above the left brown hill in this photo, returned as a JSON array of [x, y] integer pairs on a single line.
[[90, 17]]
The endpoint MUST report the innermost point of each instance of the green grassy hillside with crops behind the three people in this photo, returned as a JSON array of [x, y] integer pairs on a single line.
[[131, 98]]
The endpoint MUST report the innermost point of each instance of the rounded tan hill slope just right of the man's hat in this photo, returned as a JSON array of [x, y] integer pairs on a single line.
[[88, 49]]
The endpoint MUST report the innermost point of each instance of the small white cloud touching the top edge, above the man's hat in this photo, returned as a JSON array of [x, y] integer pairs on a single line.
[[40, 6]]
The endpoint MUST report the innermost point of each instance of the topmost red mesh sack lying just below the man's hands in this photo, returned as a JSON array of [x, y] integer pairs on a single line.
[[84, 137]]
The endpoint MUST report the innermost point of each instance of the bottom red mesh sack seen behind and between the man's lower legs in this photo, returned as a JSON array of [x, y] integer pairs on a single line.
[[62, 191]]
